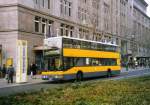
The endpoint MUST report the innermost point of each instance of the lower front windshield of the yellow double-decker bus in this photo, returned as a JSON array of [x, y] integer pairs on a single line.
[[53, 63]]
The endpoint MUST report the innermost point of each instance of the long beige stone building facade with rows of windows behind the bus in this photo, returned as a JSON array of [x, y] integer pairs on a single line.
[[100, 20]]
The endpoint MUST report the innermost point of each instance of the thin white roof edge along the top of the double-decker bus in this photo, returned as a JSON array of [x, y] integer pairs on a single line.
[[110, 44]]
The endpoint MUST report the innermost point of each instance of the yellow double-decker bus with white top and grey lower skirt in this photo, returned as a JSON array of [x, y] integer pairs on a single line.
[[72, 58]]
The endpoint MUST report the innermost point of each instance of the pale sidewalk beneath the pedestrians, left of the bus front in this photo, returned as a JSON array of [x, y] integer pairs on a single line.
[[3, 82]]
